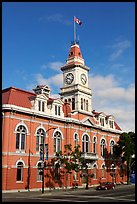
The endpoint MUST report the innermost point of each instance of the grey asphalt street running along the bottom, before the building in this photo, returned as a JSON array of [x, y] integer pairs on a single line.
[[123, 193]]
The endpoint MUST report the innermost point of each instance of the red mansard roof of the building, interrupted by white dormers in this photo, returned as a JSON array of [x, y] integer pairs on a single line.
[[23, 98]]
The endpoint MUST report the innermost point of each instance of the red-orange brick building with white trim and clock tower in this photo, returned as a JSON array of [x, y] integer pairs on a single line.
[[28, 117]]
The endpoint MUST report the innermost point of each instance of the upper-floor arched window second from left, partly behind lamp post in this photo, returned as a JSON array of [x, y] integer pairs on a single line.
[[39, 138]]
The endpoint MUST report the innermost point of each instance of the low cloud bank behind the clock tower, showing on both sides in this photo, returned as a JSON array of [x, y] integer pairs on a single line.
[[107, 96]]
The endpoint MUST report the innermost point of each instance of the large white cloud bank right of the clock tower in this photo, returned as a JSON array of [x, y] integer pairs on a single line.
[[113, 99]]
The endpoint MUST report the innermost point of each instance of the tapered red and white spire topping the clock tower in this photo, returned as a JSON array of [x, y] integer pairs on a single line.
[[75, 55]]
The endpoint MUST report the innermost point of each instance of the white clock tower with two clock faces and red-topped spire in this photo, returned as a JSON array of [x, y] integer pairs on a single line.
[[75, 88]]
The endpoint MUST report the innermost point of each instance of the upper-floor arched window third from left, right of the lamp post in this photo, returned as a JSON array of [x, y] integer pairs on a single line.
[[57, 141]]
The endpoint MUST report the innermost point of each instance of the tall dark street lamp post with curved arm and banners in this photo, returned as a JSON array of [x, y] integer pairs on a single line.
[[43, 160]]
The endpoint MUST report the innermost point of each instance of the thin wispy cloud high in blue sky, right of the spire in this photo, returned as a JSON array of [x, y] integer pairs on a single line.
[[118, 49]]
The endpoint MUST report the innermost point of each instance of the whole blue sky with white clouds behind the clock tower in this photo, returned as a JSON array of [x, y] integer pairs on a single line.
[[36, 39]]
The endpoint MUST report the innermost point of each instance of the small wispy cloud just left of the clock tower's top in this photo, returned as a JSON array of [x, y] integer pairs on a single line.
[[53, 65]]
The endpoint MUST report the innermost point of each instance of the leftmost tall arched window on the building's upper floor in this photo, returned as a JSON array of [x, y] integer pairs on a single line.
[[21, 137]]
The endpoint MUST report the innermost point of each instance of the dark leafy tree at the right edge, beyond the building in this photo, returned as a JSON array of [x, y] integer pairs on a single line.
[[125, 151]]
